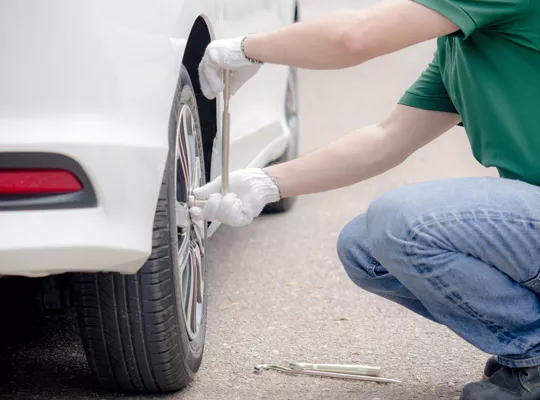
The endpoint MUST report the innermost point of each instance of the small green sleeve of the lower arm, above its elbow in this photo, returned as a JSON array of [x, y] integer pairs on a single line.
[[429, 92]]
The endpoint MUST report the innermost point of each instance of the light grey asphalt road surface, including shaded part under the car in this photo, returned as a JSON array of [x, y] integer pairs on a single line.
[[277, 292]]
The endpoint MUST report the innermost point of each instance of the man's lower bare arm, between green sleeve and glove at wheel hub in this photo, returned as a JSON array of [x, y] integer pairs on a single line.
[[362, 154]]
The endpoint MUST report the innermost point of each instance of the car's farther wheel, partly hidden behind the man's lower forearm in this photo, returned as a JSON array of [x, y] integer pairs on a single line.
[[291, 115]]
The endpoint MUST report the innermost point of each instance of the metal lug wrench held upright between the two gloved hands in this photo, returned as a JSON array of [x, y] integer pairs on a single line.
[[225, 142]]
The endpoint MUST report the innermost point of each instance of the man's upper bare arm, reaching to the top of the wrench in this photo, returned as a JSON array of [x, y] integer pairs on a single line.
[[349, 38]]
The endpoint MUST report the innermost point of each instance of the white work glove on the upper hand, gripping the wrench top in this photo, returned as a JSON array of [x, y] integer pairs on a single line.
[[225, 54]]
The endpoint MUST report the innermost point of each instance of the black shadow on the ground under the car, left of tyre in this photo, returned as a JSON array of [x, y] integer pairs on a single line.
[[40, 357]]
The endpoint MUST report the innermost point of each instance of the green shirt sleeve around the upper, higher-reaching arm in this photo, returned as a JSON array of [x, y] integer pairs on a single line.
[[470, 15]]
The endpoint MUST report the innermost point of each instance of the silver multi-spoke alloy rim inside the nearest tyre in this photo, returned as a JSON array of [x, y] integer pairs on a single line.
[[189, 174]]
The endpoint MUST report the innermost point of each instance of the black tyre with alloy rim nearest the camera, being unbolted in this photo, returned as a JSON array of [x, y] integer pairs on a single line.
[[145, 332]]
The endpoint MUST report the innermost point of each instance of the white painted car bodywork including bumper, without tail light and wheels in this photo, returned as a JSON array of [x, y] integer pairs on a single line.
[[95, 81]]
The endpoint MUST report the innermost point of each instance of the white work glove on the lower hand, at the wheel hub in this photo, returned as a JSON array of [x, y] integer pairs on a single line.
[[250, 190]]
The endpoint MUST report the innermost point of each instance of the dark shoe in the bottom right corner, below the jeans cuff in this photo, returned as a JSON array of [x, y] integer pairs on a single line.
[[506, 384]]
